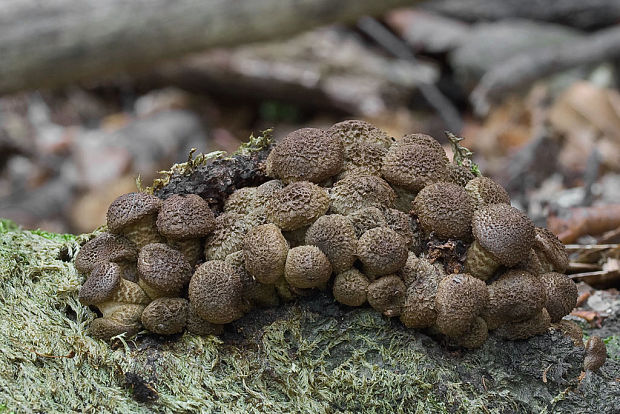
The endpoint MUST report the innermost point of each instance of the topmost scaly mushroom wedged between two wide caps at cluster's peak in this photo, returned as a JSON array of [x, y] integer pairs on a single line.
[[364, 146]]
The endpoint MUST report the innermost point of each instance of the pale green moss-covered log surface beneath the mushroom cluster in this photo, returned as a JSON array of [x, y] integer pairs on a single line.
[[312, 355]]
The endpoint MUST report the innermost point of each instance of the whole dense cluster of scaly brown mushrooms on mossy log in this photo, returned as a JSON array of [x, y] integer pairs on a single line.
[[351, 210]]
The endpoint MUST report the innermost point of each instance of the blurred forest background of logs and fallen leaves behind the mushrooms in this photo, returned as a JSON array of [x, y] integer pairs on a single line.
[[93, 95]]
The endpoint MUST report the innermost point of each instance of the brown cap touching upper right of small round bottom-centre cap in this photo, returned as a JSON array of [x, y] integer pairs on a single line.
[[335, 236]]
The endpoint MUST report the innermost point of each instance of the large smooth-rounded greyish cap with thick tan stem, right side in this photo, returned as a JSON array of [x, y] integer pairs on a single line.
[[503, 236]]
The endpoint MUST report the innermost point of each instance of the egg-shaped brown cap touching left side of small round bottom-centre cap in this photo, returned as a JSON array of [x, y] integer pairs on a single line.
[[265, 250]]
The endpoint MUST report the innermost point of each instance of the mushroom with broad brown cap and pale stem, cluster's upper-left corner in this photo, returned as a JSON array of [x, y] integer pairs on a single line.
[[133, 215]]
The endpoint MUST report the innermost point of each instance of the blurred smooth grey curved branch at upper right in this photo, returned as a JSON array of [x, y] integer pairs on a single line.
[[526, 68]]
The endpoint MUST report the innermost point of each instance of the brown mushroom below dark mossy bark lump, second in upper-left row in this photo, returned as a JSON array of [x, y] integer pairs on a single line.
[[184, 220]]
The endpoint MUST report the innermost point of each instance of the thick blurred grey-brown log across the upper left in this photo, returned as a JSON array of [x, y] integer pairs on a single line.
[[51, 43]]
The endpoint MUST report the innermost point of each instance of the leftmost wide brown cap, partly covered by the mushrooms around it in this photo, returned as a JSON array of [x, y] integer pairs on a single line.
[[105, 247]]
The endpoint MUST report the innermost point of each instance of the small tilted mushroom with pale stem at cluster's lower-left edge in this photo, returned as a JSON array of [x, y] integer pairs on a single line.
[[106, 284]]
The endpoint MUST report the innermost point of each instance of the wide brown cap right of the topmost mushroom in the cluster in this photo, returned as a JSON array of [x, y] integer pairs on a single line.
[[413, 166]]
